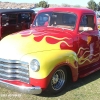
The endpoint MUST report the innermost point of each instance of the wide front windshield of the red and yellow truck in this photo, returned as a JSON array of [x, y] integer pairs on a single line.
[[56, 19]]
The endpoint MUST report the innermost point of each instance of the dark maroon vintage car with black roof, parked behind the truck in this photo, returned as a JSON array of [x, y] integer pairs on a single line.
[[14, 20]]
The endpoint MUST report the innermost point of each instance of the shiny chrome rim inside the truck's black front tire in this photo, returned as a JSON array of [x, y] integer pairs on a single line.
[[58, 79]]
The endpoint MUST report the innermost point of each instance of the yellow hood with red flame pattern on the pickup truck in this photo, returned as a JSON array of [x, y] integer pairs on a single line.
[[34, 40]]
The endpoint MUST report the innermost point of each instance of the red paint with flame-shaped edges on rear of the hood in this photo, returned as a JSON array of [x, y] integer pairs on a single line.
[[51, 38]]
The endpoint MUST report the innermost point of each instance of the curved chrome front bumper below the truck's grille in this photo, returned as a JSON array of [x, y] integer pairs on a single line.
[[22, 89]]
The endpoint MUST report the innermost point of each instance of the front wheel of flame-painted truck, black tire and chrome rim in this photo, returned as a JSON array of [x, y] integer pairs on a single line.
[[58, 81]]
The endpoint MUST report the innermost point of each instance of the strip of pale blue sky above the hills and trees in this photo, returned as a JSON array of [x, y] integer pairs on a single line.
[[59, 2]]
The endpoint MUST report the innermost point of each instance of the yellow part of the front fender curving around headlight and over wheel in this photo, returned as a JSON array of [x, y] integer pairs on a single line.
[[49, 60]]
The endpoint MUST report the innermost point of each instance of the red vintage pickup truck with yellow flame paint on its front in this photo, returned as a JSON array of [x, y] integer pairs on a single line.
[[62, 44]]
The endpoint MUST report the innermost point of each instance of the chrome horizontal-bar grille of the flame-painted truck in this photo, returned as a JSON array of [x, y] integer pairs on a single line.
[[14, 70]]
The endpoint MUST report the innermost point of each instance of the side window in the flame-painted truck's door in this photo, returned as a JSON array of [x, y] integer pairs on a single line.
[[87, 23]]
